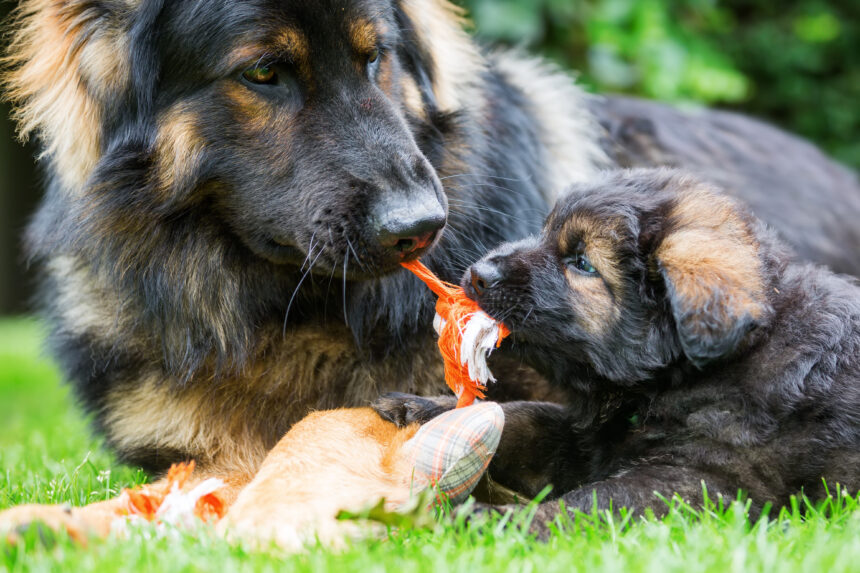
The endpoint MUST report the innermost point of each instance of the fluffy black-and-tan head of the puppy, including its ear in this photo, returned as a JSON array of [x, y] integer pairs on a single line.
[[630, 275]]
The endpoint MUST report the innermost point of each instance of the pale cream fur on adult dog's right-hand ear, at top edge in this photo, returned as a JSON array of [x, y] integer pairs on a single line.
[[457, 64]]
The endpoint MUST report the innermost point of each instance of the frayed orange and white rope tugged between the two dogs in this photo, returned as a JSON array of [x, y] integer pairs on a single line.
[[467, 335]]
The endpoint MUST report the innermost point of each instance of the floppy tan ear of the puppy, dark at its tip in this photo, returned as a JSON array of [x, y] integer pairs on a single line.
[[709, 260]]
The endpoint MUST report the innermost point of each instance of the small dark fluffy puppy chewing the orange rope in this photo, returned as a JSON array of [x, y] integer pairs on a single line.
[[694, 349]]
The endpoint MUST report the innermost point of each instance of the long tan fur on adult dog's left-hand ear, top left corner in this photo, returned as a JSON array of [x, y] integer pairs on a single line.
[[47, 78]]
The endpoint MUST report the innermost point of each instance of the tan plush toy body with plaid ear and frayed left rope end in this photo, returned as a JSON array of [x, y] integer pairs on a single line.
[[441, 460]]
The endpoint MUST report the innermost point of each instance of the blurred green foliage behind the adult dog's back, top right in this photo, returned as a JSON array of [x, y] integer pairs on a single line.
[[793, 62]]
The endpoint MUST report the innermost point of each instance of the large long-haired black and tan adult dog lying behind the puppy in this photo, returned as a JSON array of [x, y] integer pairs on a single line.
[[231, 186]]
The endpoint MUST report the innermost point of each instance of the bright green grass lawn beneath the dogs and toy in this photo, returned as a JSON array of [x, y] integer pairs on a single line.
[[48, 456]]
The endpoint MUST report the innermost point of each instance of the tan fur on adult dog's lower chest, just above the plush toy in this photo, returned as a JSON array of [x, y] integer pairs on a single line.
[[232, 424]]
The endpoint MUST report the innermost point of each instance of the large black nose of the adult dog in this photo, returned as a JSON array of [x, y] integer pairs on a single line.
[[408, 230]]
